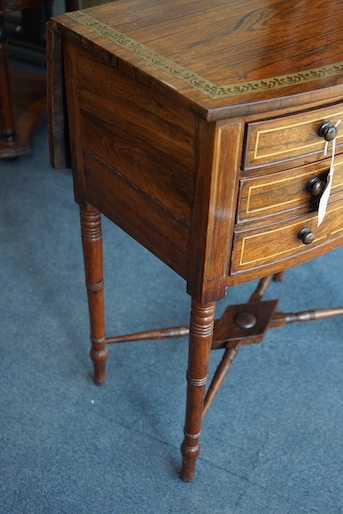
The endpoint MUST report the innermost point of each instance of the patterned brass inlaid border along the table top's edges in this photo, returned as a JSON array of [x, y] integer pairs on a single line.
[[187, 76]]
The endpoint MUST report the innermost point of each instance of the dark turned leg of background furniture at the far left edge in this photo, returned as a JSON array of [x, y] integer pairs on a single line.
[[8, 133]]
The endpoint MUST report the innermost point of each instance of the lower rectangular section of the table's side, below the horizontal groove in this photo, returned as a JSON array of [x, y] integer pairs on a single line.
[[153, 227]]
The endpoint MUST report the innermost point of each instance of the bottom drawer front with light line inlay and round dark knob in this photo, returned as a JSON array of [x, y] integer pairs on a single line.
[[273, 243]]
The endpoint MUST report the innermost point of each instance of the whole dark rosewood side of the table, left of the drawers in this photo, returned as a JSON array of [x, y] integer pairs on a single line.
[[137, 157]]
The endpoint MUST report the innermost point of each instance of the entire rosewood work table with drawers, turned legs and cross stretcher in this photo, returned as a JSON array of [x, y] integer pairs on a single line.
[[210, 132]]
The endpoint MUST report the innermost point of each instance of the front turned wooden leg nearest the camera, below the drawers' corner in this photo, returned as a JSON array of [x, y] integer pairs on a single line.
[[200, 339]]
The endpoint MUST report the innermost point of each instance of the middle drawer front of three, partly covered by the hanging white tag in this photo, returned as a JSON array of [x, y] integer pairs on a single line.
[[278, 193]]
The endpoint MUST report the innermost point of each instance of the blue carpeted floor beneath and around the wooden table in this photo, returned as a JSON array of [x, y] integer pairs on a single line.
[[272, 441]]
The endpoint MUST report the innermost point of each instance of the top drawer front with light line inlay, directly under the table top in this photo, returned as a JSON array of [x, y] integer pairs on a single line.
[[291, 137]]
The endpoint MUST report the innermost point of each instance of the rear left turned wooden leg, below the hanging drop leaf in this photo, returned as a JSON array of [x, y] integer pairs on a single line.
[[92, 254]]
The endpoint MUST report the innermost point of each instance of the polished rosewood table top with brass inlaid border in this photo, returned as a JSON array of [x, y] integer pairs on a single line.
[[224, 54]]
